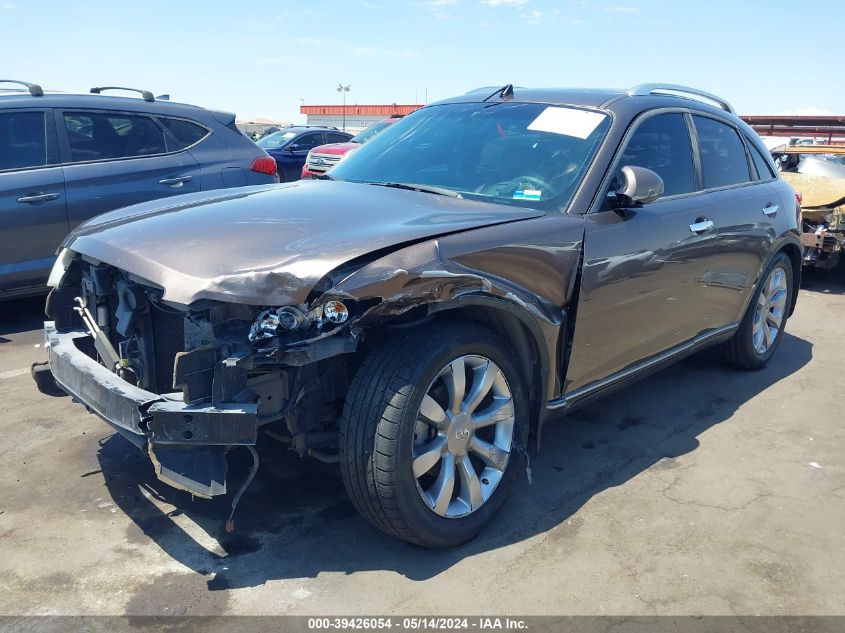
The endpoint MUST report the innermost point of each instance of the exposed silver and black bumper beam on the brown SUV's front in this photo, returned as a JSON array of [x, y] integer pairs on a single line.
[[186, 443]]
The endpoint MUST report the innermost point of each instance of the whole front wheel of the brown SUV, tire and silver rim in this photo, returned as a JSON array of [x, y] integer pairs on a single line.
[[433, 434]]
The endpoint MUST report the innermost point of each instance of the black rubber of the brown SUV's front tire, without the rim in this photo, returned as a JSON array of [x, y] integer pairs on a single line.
[[377, 431]]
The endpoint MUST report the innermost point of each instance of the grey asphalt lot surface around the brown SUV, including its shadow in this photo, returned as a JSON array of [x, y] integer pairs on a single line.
[[701, 490]]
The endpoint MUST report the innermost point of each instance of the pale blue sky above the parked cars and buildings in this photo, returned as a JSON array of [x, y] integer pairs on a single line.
[[263, 58]]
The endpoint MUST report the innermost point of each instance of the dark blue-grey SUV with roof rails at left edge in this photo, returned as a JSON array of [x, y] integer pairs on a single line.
[[67, 157]]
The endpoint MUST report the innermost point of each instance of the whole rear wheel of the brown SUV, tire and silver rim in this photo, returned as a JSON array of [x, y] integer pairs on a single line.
[[761, 329]]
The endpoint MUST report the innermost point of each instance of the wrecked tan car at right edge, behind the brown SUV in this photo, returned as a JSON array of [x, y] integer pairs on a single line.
[[817, 172]]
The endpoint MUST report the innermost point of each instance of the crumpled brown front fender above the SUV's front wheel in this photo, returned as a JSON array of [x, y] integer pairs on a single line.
[[530, 264]]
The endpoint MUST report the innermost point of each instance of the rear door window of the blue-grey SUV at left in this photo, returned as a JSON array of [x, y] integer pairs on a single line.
[[103, 135]]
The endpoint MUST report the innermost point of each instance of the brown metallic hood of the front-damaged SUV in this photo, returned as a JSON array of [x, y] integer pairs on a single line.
[[270, 245]]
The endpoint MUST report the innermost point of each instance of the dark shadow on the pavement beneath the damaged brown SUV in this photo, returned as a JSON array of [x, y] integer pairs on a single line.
[[295, 520]]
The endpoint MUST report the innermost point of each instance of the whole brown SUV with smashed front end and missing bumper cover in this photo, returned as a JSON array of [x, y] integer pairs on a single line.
[[417, 314]]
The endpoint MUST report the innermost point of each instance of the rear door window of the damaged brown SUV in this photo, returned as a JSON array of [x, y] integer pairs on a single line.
[[723, 158]]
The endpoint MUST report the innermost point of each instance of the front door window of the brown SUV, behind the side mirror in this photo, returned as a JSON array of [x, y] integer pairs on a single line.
[[662, 144]]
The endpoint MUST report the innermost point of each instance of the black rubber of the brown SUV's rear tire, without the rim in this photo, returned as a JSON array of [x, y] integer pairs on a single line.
[[740, 351]]
